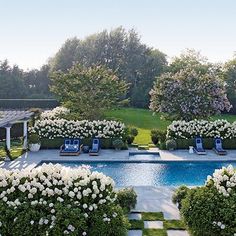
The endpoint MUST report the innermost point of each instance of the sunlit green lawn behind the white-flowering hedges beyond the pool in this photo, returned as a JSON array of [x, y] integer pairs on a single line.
[[144, 121]]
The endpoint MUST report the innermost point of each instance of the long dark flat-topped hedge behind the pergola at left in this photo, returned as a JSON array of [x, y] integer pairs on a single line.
[[27, 103]]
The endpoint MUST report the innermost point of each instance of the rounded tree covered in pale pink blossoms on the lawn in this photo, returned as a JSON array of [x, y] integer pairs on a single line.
[[189, 95]]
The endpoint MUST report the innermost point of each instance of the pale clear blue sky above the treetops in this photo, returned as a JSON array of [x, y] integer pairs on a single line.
[[31, 31]]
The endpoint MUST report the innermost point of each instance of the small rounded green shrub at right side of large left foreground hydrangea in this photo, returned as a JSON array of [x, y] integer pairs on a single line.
[[127, 198]]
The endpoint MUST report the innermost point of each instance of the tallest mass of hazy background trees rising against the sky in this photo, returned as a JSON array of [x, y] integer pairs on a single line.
[[120, 51]]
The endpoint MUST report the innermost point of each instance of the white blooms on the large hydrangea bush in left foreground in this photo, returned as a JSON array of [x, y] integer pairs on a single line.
[[49, 185]]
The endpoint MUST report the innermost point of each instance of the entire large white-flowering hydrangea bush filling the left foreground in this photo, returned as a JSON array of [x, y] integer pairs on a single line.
[[57, 200]]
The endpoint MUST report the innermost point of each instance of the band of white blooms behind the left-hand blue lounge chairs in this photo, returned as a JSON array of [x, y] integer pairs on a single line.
[[61, 128]]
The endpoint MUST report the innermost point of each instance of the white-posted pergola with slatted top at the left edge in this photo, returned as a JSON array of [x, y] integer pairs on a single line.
[[8, 118]]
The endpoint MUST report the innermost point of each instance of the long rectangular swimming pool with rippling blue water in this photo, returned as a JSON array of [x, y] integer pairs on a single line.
[[169, 173]]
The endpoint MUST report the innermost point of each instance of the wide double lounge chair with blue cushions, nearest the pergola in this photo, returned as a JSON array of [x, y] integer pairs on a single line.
[[70, 147]]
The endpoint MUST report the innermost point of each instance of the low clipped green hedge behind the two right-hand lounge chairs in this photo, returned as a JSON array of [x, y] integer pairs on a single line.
[[208, 143]]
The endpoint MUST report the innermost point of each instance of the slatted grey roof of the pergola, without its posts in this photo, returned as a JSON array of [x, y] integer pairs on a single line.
[[11, 117]]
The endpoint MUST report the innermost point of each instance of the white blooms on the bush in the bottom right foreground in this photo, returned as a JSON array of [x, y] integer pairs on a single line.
[[224, 180]]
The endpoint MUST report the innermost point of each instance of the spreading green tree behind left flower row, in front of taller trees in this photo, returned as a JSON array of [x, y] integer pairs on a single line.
[[89, 91]]
